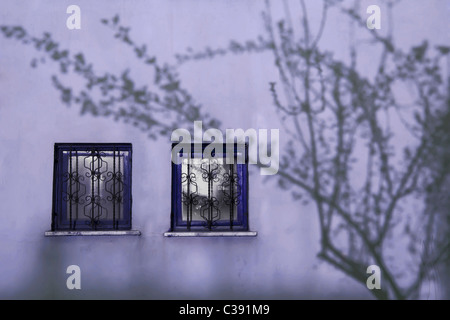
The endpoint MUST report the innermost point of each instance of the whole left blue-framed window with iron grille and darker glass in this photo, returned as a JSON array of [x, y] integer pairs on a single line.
[[92, 186]]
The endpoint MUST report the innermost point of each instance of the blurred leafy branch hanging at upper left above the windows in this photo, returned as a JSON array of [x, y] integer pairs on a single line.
[[157, 110]]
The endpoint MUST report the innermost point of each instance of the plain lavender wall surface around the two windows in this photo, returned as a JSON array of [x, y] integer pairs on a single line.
[[280, 262]]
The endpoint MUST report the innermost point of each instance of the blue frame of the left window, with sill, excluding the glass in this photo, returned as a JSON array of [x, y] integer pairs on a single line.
[[60, 222]]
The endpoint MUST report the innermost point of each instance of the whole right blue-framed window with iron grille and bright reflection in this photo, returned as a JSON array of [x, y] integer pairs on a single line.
[[209, 191]]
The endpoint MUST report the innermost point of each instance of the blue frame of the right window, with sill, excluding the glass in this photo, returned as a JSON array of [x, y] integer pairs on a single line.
[[241, 224]]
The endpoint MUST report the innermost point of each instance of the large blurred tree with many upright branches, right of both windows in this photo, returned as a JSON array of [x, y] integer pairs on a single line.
[[337, 103]]
